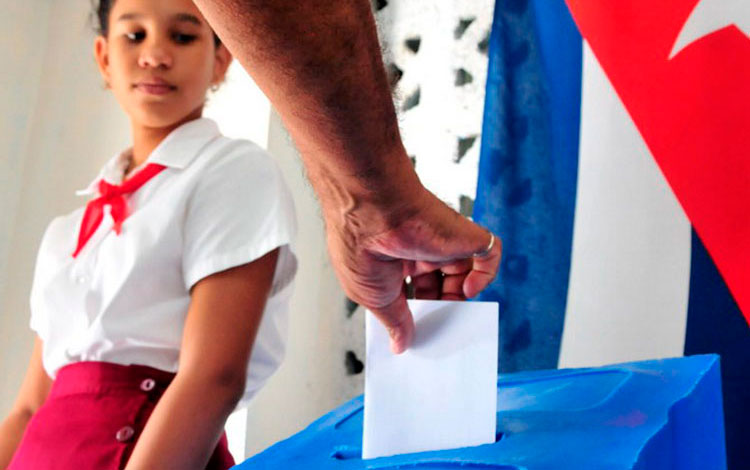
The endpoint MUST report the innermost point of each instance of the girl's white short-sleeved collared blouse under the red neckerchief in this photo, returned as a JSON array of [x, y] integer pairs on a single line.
[[220, 203]]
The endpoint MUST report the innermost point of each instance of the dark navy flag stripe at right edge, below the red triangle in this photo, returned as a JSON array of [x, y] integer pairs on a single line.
[[716, 325]]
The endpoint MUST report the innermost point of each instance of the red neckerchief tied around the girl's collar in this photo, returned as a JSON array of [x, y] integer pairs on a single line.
[[114, 196]]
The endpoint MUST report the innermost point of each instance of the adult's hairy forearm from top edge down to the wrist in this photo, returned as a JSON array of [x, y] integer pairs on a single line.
[[319, 63]]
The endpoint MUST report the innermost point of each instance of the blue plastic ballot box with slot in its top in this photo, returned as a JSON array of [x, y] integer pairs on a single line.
[[652, 415]]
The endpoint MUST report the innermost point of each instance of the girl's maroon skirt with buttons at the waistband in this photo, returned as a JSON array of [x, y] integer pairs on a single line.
[[93, 417]]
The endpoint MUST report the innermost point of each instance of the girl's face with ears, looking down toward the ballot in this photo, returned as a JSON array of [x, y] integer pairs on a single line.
[[159, 58]]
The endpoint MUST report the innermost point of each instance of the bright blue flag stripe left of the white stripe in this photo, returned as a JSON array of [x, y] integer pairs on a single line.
[[528, 171]]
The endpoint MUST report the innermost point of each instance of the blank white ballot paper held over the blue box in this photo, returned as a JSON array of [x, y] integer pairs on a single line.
[[442, 392]]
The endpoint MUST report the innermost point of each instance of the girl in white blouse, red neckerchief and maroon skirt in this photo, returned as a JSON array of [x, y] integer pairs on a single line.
[[148, 301]]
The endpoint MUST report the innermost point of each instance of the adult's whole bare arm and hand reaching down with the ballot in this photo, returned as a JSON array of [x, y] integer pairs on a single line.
[[319, 63]]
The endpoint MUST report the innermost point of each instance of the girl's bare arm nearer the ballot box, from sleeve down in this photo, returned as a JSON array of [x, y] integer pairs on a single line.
[[224, 315]]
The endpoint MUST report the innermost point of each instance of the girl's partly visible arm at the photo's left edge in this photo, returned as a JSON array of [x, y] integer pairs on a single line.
[[31, 396]]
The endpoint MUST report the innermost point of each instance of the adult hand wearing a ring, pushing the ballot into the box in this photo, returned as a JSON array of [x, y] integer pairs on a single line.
[[375, 248]]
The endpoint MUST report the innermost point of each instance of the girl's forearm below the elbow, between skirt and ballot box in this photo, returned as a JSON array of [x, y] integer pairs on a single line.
[[186, 424]]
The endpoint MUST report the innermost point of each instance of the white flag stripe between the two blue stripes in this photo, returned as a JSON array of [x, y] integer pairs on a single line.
[[630, 264]]
